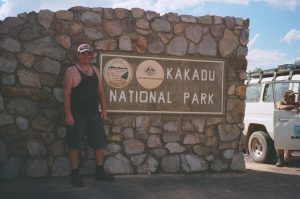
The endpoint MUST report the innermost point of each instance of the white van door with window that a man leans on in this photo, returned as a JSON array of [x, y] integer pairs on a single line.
[[286, 123]]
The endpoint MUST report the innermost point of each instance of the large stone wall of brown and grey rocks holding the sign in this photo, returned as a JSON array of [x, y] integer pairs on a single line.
[[36, 49]]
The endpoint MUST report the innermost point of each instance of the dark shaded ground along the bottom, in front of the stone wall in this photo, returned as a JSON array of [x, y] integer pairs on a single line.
[[207, 185]]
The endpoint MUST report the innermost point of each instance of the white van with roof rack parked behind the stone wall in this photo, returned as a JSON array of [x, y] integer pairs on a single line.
[[266, 127]]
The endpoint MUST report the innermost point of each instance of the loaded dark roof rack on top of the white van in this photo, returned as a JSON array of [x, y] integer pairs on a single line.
[[284, 69]]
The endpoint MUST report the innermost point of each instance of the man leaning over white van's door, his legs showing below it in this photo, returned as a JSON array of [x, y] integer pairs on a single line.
[[287, 103]]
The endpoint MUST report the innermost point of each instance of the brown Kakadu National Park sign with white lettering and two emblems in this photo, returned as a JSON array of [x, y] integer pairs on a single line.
[[162, 84]]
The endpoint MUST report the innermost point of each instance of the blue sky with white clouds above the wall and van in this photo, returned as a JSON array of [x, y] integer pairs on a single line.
[[274, 24]]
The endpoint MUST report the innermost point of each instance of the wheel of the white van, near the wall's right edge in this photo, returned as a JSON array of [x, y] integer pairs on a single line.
[[259, 146]]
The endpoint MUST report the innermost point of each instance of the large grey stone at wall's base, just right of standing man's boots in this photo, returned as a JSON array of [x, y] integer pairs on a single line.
[[118, 164]]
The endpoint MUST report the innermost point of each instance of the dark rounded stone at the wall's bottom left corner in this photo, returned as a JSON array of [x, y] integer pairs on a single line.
[[11, 169]]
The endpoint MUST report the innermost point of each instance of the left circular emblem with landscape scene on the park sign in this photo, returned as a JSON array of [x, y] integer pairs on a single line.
[[117, 73]]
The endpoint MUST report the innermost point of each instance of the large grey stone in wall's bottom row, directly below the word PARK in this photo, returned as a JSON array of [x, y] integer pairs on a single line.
[[192, 163]]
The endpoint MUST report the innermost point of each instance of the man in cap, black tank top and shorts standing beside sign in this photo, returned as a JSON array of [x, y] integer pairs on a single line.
[[83, 90]]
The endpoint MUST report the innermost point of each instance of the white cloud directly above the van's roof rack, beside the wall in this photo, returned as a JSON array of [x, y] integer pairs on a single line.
[[260, 58]]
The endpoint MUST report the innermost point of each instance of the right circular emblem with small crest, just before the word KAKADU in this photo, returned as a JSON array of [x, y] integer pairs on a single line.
[[149, 74]]
